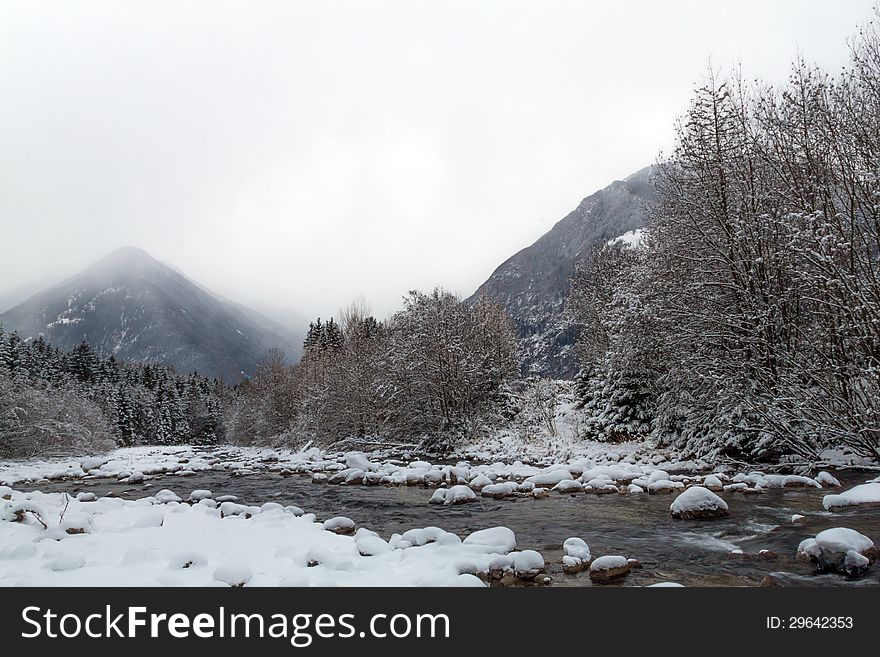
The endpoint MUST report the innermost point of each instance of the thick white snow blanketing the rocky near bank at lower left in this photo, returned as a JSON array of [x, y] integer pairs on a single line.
[[258, 546]]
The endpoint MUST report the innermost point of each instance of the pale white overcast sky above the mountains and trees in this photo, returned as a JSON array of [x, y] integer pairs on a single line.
[[302, 153]]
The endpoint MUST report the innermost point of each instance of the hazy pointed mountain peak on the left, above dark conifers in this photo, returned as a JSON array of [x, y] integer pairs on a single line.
[[134, 307]]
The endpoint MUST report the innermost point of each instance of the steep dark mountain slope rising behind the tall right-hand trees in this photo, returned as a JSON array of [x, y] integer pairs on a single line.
[[533, 284]]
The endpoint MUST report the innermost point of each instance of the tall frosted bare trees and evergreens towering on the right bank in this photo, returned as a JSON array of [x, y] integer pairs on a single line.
[[748, 324]]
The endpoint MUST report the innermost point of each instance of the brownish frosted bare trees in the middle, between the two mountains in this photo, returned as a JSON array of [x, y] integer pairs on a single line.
[[432, 372]]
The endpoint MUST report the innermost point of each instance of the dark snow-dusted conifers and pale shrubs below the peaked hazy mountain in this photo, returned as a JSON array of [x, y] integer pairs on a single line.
[[56, 402]]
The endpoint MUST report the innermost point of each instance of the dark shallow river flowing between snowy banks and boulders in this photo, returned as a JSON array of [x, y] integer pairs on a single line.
[[693, 553]]
